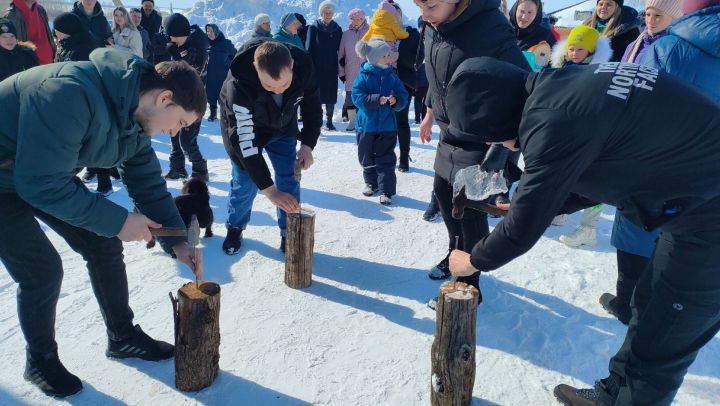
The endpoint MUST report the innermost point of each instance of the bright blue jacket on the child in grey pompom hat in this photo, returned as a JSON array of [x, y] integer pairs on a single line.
[[371, 83]]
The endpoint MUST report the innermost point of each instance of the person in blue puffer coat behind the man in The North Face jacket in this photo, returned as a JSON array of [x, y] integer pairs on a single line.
[[691, 51]]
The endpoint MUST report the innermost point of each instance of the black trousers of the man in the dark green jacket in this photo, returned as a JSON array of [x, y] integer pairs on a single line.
[[36, 267]]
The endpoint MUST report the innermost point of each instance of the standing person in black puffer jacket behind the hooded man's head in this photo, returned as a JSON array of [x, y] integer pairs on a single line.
[[455, 32]]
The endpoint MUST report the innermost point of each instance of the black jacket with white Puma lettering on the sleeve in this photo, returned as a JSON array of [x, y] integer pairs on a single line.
[[249, 116]]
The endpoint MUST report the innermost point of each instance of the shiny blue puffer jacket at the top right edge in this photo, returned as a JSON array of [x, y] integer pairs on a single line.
[[691, 50]]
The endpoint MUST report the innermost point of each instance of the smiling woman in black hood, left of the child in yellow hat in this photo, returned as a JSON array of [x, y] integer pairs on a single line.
[[528, 26]]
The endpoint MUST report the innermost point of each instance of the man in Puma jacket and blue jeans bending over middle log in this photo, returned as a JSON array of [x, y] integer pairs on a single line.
[[258, 110]]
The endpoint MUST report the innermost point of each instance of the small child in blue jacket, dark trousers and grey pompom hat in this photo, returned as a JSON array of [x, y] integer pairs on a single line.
[[378, 93]]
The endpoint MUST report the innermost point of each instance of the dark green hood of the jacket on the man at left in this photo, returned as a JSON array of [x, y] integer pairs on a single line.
[[120, 73]]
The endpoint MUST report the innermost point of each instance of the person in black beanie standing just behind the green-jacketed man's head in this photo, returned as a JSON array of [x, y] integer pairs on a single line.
[[189, 44]]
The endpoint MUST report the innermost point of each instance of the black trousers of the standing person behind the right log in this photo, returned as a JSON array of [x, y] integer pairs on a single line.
[[469, 230]]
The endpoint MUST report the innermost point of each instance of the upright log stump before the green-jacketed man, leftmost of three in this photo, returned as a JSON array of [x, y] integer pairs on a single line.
[[197, 335]]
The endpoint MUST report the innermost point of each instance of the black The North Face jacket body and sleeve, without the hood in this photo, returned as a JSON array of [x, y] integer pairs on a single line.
[[620, 134]]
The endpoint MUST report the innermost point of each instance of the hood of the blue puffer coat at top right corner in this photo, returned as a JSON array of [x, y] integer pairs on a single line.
[[700, 29]]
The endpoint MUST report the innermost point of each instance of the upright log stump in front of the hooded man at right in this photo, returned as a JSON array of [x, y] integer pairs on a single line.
[[453, 350]]
